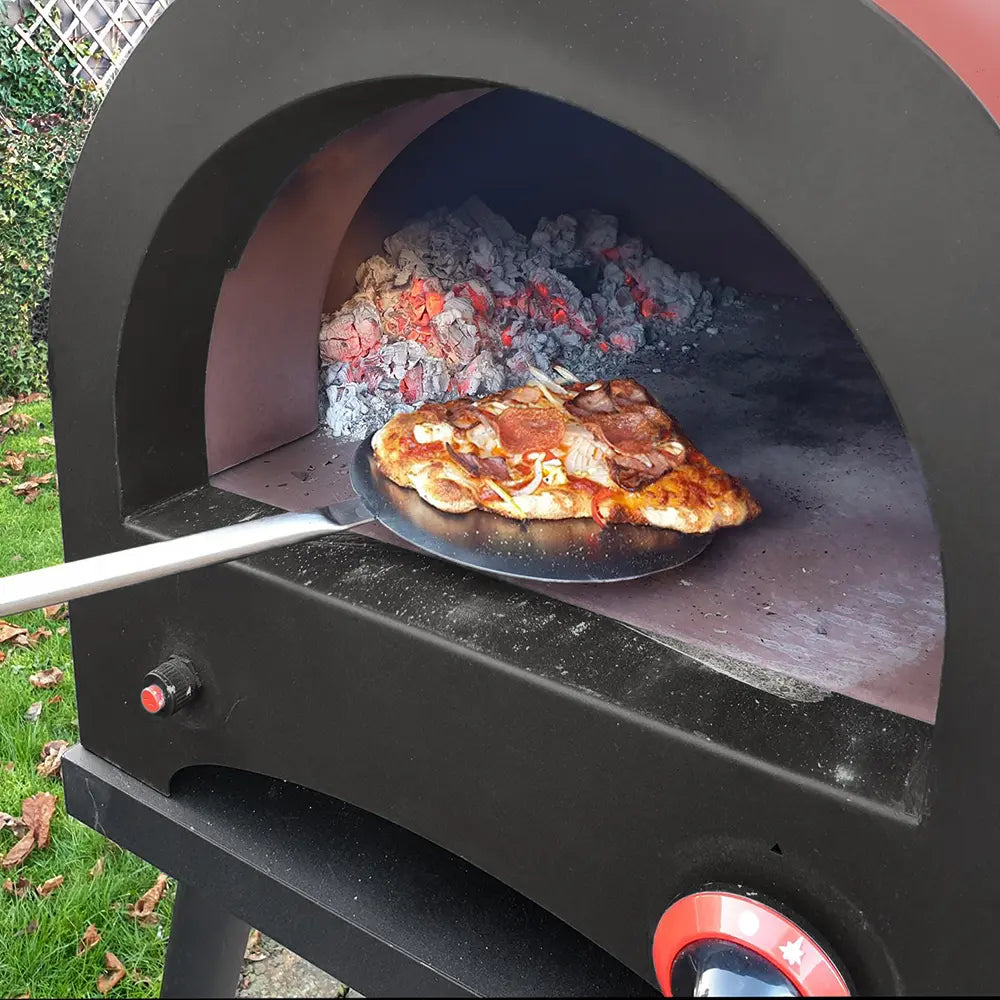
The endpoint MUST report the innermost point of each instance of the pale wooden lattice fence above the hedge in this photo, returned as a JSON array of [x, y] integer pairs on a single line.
[[96, 35]]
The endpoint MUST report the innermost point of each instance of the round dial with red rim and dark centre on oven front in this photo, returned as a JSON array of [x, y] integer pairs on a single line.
[[724, 944]]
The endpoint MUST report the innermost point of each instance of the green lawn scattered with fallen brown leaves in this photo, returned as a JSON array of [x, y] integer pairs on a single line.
[[39, 936]]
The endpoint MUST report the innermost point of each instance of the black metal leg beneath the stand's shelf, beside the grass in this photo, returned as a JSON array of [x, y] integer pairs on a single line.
[[205, 951]]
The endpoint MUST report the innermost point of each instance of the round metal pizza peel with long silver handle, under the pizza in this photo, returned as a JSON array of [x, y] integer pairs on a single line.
[[575, 550]]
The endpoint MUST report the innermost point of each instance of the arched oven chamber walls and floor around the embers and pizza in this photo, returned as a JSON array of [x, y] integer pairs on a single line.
[[837, 587]]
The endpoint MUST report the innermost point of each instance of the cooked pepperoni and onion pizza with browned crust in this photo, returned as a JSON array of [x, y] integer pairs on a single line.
[[547, 451]]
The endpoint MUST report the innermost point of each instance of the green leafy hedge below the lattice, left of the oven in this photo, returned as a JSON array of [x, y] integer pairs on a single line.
[[43, 124]]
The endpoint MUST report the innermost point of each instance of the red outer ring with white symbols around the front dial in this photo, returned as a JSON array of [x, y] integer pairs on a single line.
[[740, 920]]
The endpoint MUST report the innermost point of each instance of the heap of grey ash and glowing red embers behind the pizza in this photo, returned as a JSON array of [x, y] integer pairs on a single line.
[[462, 304]]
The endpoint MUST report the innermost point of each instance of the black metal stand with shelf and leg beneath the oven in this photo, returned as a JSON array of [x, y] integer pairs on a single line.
[[372, 904]]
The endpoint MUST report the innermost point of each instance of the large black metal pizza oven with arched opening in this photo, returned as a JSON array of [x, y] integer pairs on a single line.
[[787, 718]]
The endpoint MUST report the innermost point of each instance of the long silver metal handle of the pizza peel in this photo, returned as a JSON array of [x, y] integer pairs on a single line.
[[97, 574]]
